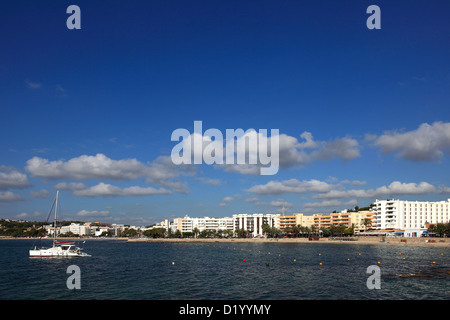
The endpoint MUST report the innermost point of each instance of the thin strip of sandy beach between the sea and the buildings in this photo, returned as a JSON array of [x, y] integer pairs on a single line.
[[425, 242]]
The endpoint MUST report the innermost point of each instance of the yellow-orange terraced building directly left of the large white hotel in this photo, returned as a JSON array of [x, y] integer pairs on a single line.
[[357, 220]]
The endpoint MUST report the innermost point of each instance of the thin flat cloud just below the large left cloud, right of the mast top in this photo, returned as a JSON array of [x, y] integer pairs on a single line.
[[107, 190]]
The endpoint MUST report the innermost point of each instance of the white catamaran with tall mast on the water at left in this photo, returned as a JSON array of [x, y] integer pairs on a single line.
[[59, 248]]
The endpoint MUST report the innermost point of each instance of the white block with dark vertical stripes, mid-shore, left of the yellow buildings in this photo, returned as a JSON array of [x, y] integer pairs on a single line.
[[253, 222]]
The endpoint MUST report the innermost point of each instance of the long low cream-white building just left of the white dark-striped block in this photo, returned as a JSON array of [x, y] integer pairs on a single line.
[[188, 224]]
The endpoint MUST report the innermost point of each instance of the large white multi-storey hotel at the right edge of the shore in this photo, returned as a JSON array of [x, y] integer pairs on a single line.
[[404, 214]]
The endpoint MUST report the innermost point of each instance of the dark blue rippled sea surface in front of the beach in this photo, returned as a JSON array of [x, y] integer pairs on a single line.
[[210, 271]]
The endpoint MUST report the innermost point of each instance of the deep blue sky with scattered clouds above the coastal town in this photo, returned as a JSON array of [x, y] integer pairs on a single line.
[[363, 114]]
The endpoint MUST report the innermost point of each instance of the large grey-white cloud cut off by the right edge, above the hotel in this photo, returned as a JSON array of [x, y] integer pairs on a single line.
[[427, 143]]
